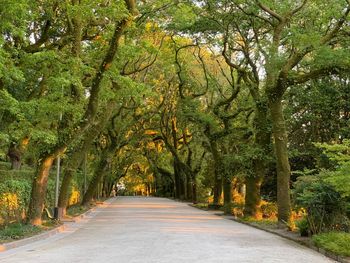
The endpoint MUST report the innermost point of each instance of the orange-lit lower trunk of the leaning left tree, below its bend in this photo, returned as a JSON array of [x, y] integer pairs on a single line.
[[39, 187]]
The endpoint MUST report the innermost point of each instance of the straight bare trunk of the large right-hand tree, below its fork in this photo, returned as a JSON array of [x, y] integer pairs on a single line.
[[283, 167]]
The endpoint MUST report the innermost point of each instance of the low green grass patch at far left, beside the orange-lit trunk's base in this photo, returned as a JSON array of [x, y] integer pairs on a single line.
[[18, 231]]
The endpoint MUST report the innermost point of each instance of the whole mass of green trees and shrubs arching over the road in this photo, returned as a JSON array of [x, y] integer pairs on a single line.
[[239, 105]]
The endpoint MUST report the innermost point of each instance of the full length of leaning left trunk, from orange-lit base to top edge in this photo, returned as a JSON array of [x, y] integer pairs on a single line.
[[47, 157]]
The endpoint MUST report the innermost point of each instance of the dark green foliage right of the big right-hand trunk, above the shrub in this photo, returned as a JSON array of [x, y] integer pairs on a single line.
[[312, 116]]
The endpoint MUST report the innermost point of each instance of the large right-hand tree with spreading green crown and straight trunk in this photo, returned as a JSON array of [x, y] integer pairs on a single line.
[[274, 47]]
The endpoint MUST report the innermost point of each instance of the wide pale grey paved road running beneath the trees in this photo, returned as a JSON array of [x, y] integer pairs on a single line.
[[135, 229]]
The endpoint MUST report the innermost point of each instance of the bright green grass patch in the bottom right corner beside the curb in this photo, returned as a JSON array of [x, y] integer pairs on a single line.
[[335, 242]]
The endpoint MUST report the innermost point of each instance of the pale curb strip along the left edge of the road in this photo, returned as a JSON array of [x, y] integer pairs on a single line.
[[46, 234]]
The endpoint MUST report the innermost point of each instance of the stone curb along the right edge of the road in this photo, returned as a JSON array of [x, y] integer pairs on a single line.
[[306, 243]]
